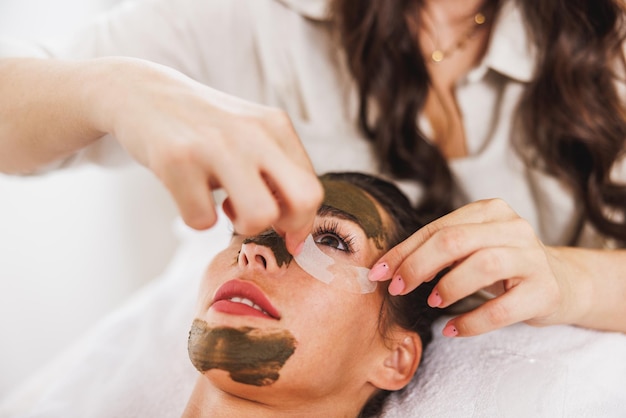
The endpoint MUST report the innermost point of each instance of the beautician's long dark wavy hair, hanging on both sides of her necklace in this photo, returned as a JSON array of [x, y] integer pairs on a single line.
[[571, 116]]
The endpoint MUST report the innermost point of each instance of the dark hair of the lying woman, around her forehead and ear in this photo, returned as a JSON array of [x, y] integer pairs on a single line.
[[410, 311]]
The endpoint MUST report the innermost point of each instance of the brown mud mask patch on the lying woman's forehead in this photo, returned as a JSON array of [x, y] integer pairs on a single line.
[[354, 202]]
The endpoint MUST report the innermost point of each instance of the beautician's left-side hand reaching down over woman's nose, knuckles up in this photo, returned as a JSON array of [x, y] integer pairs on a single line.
[[196, 139]]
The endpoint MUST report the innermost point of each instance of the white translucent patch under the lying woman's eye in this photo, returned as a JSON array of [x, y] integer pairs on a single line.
[[327, 270]]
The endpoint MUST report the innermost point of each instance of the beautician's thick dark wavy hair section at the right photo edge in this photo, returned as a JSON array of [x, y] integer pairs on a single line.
[[572, 110]]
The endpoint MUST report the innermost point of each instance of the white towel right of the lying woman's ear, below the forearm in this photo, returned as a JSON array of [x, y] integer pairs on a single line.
[[519, 371]]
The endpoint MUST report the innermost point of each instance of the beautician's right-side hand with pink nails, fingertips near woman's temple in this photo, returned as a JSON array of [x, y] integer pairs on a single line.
[[488, 246]]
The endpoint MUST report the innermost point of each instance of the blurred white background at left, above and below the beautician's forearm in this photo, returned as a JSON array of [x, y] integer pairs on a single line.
[[73, 244]]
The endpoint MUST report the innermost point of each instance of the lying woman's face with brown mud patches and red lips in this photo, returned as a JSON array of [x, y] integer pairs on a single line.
[[266, 327]]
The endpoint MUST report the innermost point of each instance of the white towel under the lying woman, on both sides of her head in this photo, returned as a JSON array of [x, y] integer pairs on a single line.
[[135, 364]]
